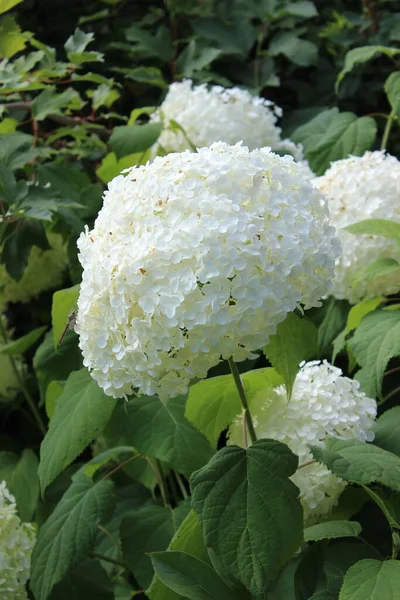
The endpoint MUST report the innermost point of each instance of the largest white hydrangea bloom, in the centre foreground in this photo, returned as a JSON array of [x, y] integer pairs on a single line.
[[195, 258]]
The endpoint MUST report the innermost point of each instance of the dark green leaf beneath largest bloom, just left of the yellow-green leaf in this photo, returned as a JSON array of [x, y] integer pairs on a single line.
[[160, 430]]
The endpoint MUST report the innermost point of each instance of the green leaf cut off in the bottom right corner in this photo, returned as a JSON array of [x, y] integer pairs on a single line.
[[372, 580]]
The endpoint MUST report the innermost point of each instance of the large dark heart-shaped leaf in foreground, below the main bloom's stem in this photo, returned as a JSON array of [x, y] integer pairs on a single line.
[[249, 510]]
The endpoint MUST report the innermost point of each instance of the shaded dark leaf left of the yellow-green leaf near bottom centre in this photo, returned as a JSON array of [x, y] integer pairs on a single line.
[[149, 529]]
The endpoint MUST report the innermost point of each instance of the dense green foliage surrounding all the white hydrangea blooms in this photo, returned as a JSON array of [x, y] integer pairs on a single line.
[[144, 498]]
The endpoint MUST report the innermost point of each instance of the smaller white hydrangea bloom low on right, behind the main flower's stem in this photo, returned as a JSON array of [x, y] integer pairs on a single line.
[[323, 403]]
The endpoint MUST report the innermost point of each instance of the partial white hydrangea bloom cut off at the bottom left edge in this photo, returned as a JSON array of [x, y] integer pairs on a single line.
[[16, 543]]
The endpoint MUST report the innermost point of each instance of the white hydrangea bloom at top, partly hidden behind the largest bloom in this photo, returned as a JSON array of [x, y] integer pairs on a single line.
[[209, 115]]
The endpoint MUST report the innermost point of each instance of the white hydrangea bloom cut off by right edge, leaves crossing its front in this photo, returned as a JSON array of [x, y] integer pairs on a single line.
[[360, 188]]
